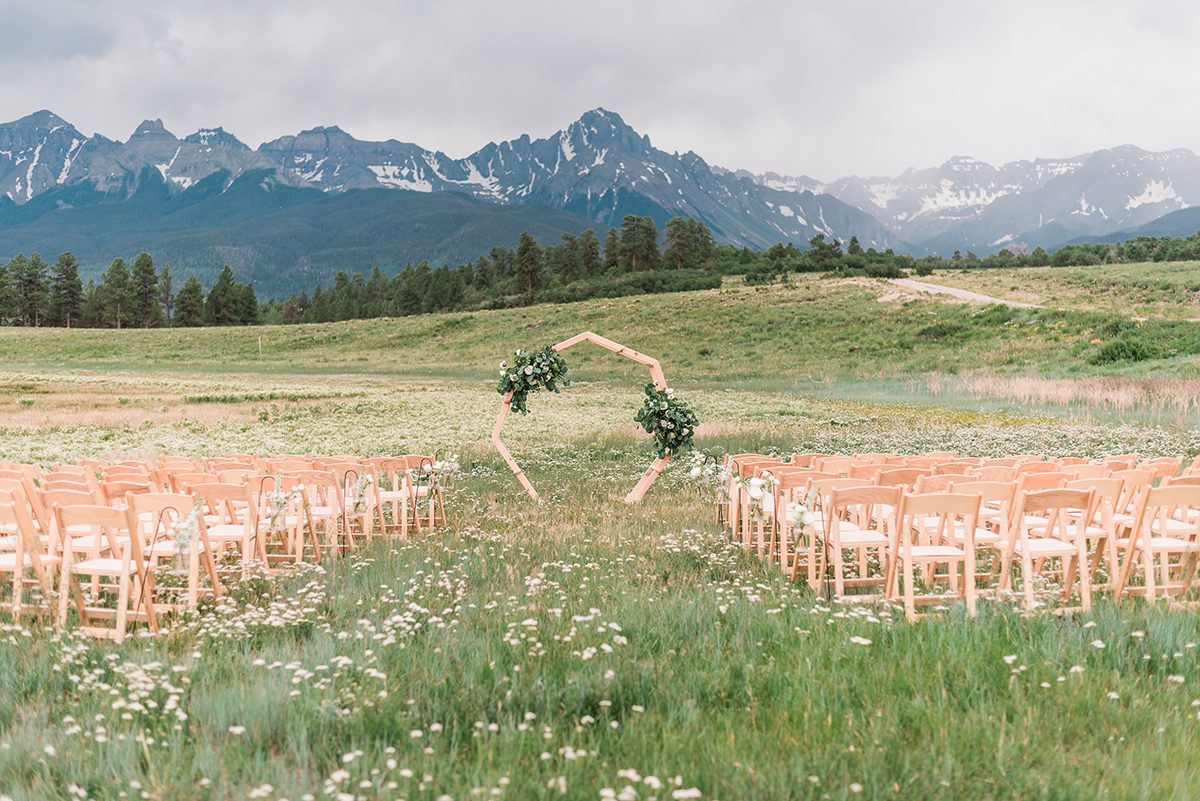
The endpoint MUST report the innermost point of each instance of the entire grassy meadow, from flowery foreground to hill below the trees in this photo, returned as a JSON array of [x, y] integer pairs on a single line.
[[585, 649]]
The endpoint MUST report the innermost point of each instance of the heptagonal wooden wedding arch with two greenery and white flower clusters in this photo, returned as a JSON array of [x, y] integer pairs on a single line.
[[671, 421]]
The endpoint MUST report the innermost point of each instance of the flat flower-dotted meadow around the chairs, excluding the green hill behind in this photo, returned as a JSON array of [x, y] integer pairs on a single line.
[[583, 647]]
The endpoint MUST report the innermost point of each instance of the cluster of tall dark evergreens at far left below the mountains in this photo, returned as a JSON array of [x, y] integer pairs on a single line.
[[34, 293]]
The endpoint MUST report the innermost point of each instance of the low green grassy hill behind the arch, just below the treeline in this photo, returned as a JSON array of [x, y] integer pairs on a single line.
[[812, 332]]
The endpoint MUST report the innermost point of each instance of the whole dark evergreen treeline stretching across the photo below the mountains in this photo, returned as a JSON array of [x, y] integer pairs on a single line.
[[628, 262]]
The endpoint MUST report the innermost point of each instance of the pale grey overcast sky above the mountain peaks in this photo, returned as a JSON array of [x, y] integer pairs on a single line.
[[820, 88]]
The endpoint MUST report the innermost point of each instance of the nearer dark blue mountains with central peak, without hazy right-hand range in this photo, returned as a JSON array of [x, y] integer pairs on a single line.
[[194, 197]]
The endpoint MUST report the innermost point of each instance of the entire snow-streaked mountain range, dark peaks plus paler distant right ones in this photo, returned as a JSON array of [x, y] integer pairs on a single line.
[[301, 207]]
